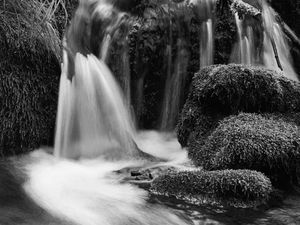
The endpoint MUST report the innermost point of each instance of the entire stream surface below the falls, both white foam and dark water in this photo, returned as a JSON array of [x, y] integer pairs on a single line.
[[40, 189]]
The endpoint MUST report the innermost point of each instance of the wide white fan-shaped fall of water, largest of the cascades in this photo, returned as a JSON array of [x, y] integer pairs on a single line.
[[92, 118]]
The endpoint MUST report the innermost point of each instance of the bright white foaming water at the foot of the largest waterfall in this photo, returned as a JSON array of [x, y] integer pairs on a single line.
[[89, 192]]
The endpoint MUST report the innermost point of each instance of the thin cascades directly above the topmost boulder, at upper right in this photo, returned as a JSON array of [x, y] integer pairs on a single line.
[[258, 40]]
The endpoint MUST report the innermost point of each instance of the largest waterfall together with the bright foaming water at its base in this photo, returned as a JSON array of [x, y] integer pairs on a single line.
[[93, 121]]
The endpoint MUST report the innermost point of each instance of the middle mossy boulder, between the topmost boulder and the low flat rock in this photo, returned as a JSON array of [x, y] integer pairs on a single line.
[[250, 141]]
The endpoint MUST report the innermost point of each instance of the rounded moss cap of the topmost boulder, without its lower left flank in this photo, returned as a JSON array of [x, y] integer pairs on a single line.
[[234, 88]]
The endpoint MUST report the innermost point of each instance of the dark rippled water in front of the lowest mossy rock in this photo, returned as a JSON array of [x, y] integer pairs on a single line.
[[286, 212]]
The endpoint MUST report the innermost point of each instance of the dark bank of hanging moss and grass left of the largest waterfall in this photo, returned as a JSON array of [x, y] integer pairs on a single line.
[[29, 76]]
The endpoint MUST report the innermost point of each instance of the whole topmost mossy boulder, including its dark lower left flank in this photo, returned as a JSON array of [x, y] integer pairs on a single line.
[[219, 91]]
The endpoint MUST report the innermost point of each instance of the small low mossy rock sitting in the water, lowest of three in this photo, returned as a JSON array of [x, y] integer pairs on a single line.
[[225, 187]]
